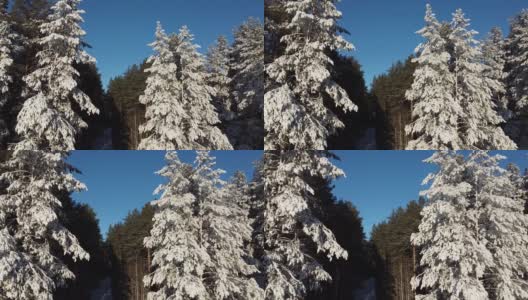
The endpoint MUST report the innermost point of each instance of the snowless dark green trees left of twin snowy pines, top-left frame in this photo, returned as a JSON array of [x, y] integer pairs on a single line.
[[127, 112]]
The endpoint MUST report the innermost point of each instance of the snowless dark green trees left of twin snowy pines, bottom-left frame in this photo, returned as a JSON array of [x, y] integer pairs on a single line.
[[130, 260]]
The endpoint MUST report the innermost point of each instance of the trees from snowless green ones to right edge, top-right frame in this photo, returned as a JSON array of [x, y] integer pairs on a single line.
[[496, 63]]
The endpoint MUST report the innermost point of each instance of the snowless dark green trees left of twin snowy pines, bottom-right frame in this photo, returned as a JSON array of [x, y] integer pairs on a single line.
[[396, 257]]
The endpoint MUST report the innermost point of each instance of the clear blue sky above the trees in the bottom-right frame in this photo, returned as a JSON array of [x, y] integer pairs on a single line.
[[378, 182]]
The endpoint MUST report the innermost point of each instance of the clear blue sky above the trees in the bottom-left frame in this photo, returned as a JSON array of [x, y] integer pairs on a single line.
[[119, 181]]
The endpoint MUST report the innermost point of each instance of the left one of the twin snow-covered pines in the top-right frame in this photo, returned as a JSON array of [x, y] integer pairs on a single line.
[[435, 112]]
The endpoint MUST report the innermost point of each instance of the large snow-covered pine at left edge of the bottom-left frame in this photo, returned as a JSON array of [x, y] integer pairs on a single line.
[[31, 234]]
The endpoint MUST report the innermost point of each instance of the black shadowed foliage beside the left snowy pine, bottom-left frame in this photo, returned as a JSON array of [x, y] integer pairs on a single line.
[[80, 220]]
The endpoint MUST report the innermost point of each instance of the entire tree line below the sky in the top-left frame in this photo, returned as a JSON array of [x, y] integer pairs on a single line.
[[45, 66]]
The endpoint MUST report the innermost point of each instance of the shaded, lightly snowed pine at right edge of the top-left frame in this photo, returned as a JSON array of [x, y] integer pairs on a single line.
[[247, 63]]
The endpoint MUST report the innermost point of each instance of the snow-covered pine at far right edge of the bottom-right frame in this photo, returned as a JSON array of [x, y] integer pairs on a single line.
[[503, 224]]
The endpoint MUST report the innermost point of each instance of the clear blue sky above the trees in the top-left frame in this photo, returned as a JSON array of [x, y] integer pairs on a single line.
[[120, 30]]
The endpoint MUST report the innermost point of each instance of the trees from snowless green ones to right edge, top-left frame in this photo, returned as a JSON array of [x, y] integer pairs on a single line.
[[231, 85]]
